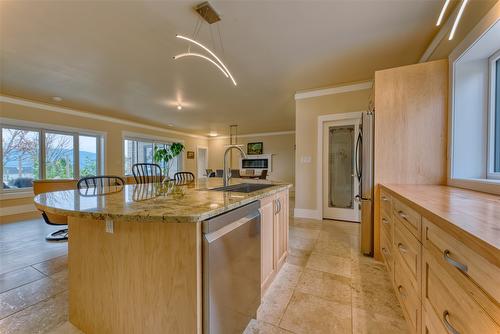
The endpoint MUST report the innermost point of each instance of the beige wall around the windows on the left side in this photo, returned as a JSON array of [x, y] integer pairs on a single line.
[[113, 138]]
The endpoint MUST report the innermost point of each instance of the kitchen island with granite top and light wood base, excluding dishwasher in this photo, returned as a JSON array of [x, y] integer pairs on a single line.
[[135, 253]]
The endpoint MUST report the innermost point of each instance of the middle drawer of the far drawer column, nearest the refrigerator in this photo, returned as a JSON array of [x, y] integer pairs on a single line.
[[409, 249]]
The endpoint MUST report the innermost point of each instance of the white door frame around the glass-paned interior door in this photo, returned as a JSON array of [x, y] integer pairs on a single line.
[[355, 115]]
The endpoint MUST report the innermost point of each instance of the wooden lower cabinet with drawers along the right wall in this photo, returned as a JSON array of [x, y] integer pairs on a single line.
[[443, 286]]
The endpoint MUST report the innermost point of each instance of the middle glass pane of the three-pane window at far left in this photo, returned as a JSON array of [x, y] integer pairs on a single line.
[[59, 156]]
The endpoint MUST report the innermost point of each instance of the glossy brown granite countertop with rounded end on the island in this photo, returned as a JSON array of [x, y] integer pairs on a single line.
[[181, 203]]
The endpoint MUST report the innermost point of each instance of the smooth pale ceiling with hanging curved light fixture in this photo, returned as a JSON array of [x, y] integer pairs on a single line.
[[115, 58]]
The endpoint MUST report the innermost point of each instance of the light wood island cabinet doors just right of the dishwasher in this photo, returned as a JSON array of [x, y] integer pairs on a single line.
[[274, 212]]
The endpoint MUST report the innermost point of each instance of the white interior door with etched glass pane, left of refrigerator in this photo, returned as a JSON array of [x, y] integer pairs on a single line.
[[340, 182]]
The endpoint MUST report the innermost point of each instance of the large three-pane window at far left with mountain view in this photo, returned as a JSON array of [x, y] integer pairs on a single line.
[[34, 153]]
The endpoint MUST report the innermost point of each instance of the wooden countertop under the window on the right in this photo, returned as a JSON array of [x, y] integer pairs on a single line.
[[472, 217]]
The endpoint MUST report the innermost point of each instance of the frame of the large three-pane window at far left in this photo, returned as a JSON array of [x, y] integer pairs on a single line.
[[42, 130]]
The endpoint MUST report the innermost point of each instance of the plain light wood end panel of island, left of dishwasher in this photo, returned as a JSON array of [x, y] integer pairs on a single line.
[[130, 255]]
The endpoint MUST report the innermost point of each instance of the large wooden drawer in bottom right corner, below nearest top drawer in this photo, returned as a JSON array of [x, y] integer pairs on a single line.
[[443, 296]]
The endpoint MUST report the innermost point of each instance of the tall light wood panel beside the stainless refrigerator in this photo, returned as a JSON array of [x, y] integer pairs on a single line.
[[410, 128]]
